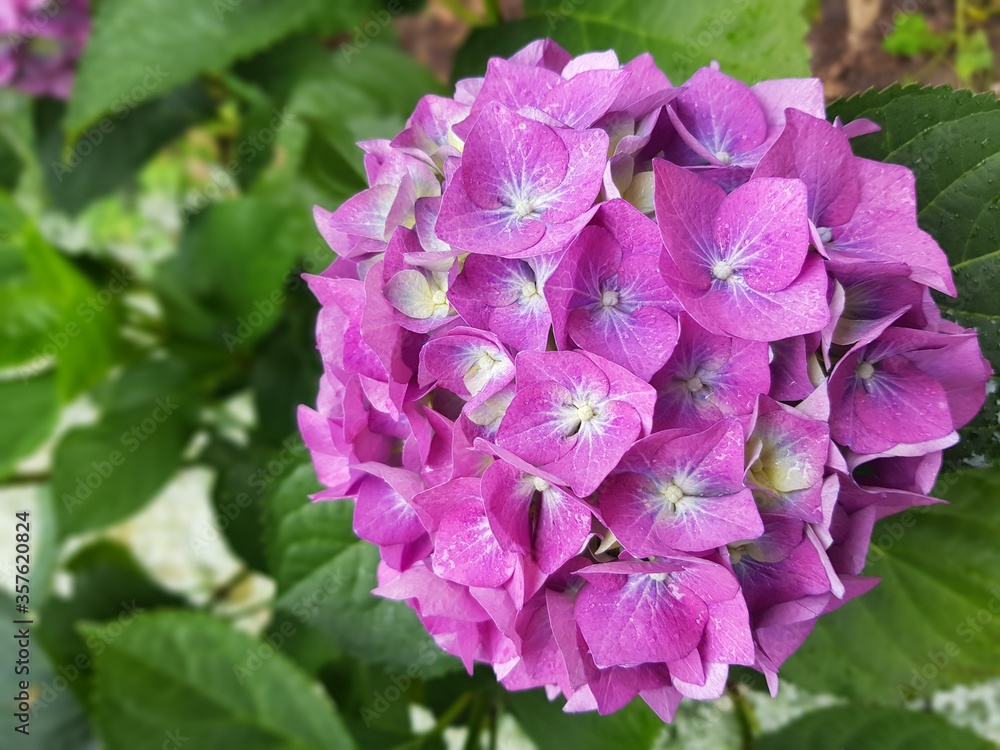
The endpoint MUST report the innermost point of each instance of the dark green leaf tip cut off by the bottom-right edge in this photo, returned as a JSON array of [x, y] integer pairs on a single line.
[[861, 727]]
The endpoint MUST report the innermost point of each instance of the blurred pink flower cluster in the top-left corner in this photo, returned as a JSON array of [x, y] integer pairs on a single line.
[[40, 41]]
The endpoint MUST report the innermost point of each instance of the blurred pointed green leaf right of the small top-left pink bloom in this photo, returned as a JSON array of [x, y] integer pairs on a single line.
[[145, 48]]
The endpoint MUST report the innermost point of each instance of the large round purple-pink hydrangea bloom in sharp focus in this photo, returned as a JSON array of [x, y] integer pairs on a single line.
[[620, 375]]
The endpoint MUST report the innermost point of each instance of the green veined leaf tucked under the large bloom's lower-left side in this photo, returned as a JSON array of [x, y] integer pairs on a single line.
[[325, 576]]
